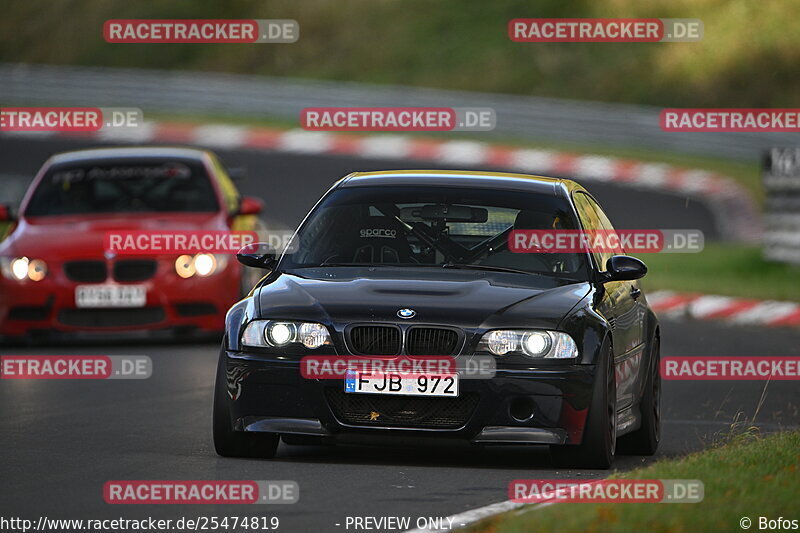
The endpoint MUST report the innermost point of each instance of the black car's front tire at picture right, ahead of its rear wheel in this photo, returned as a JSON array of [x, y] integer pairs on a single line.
[[600, 434]]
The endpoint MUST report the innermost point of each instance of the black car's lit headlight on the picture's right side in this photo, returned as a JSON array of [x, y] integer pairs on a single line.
[[537, 343]]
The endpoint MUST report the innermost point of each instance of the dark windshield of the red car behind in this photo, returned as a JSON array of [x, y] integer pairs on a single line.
[[123, 186]]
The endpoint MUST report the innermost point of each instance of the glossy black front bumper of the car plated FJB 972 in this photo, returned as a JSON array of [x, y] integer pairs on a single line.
[[268, 394]]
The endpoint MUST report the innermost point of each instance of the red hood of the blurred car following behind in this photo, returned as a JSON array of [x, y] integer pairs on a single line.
[[69, 237]]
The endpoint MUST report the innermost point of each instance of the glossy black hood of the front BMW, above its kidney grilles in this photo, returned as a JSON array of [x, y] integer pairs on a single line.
[[463, 298]]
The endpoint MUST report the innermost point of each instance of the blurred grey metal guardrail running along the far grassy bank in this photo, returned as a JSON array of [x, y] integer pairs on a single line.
[[245, 95]]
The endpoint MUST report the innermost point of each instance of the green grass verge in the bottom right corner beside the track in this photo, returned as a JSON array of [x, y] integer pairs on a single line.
[[747, 476]]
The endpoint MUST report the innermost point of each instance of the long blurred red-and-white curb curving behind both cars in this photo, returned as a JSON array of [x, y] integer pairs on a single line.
[[735, 212]]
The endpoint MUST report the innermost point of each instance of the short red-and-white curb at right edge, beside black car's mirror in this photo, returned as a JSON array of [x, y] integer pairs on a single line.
[[740, 311]]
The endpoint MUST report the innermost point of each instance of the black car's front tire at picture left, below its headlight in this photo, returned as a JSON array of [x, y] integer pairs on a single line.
[[230, 443]]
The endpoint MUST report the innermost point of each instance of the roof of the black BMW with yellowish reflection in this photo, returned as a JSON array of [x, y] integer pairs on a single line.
[[462, 178]]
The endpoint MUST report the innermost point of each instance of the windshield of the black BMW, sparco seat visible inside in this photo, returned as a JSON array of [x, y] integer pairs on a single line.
[[446, 227]]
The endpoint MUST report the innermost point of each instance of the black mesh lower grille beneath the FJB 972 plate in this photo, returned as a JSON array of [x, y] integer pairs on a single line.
[[401, 411]]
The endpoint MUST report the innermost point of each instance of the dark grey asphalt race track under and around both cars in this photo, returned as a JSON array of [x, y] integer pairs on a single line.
[[62, 440]]
